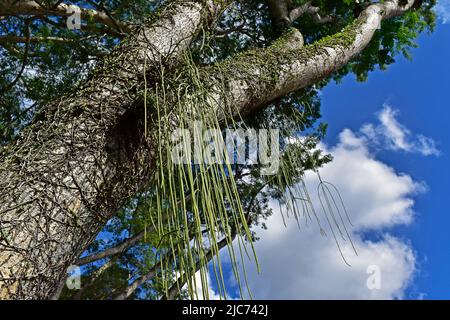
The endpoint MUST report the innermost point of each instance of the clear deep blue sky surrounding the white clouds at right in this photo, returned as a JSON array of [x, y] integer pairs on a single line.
[[420, 90]]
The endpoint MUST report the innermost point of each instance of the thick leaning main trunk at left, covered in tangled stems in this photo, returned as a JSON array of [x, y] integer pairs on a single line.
[[82, 158]]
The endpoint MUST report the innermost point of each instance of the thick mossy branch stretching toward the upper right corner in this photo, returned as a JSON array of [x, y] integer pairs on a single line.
[[256, 78]]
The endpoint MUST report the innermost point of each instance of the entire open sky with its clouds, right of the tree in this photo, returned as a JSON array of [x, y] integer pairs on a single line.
[[390, 140]]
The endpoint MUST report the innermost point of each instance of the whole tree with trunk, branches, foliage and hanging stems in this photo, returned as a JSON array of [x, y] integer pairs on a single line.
[[86, 115]]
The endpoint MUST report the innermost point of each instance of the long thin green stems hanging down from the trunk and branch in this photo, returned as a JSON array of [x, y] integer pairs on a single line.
[[196, 210]]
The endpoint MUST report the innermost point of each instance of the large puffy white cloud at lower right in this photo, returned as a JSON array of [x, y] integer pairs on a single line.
[[302, 264]]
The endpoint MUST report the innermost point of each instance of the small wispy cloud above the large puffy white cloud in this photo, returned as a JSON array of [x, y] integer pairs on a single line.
[[391, 134]]
